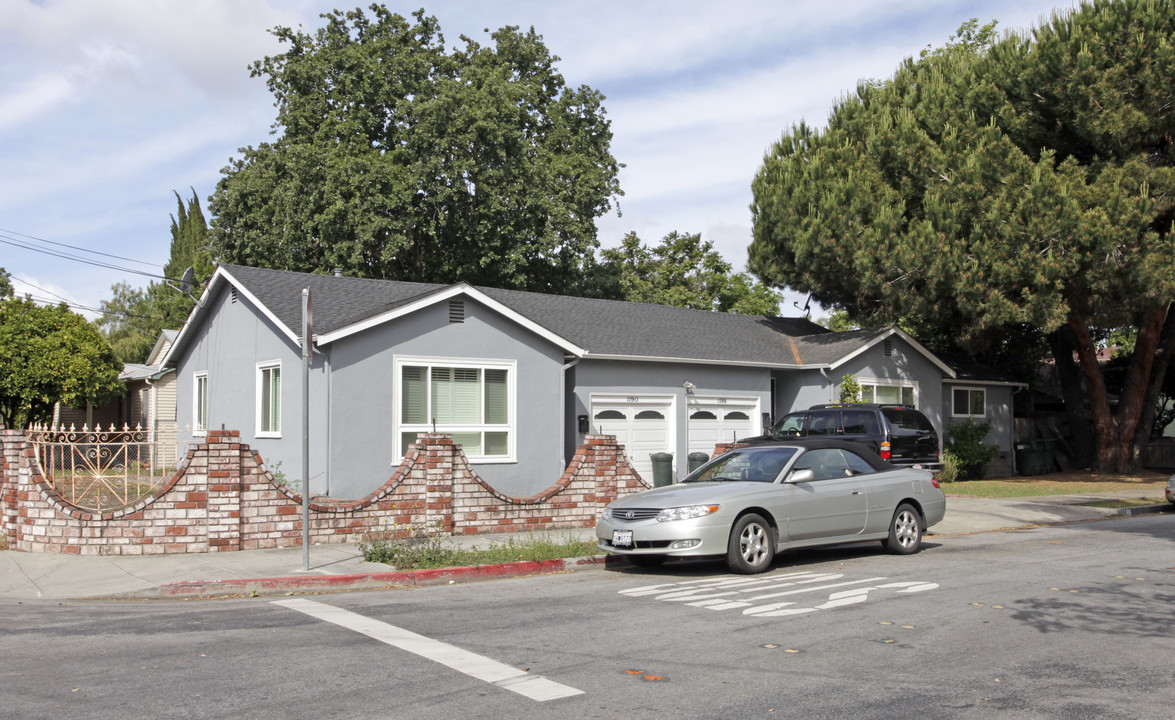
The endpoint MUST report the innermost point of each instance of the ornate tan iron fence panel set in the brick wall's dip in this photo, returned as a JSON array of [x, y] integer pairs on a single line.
[[99, 470]]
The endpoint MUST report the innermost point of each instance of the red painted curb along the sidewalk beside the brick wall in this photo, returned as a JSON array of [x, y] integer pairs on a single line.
[[372, 580]]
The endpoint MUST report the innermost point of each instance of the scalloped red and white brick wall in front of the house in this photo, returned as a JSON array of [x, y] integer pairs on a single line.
[[224, 499]]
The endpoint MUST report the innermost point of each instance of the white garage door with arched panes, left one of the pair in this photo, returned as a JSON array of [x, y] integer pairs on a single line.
[[642, 425]]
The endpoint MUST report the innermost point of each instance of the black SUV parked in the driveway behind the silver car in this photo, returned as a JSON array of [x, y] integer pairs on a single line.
[[899, 434]]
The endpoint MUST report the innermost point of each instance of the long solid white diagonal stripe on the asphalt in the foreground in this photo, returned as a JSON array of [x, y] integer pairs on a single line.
[[506, 677]]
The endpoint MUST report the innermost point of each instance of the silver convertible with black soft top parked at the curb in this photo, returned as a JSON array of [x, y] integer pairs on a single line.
[[753, 503]]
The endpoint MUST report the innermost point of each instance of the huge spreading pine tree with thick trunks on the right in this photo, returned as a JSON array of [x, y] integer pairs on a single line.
[[1029, 186]]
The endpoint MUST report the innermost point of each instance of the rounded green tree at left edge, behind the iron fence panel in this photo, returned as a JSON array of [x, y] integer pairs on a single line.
[[49, 354]]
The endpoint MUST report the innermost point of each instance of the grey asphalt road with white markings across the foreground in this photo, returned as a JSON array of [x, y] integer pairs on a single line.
[[1069, 622]]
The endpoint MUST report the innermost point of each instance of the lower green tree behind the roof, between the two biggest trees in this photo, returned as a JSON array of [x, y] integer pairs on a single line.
[[682, 271]]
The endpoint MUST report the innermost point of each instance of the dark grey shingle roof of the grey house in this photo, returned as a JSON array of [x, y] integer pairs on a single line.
[[602, 327]]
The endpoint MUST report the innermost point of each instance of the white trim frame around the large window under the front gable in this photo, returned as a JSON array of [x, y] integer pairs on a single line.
[[512, 428]]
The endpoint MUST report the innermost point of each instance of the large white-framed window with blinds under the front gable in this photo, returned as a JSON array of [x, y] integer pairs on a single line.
[[471, 400]]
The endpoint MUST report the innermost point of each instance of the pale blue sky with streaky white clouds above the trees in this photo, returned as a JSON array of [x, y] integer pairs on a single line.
[[110, 106]]
